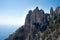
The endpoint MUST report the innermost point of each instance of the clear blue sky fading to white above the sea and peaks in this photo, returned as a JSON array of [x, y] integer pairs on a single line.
[[13, 12]]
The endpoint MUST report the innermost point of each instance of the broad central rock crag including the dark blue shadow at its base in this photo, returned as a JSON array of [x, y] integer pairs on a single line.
[[37, 18]]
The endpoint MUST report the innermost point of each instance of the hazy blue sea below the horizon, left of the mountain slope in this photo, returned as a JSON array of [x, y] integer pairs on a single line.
[[6, 30]]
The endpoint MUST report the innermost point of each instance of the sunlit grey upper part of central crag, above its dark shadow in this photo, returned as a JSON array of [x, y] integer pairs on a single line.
[[34, 16]]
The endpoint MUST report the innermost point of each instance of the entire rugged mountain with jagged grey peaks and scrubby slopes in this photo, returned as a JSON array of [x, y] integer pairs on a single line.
[[39, 26]]
